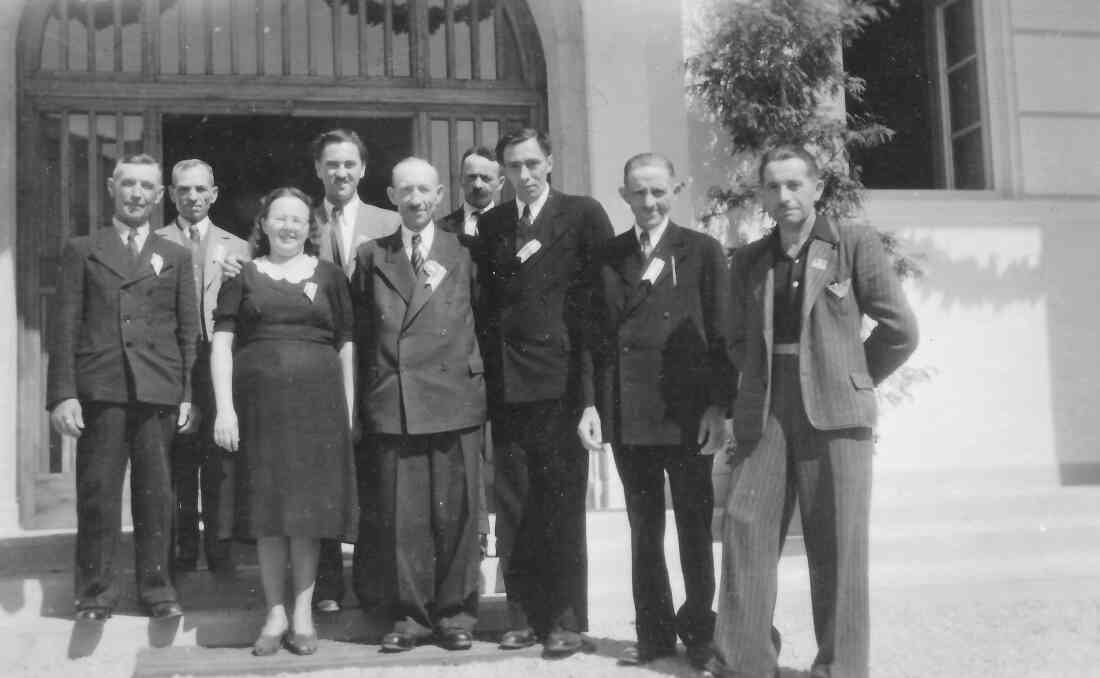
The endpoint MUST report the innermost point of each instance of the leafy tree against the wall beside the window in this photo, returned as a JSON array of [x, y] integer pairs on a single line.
[[771, 72]]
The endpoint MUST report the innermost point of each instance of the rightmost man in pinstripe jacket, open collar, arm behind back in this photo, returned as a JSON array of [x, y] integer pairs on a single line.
[[804, 419]]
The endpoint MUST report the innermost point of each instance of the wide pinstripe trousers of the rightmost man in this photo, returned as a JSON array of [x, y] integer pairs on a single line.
[[830, 476]]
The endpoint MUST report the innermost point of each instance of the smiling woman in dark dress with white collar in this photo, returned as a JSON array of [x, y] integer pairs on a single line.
[[285, 399]]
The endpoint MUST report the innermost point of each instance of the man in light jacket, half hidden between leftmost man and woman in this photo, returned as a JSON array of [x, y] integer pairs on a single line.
[[196, 462]]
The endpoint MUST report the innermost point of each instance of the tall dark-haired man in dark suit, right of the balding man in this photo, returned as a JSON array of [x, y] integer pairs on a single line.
[[538, 255]]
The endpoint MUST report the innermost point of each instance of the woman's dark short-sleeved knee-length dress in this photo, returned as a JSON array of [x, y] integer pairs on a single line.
[[295, 471]]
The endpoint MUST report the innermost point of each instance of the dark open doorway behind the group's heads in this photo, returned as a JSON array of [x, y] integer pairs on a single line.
[[254, 155]]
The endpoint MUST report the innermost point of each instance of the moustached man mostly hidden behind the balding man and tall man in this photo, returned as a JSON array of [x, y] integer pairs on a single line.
[[481, 182]]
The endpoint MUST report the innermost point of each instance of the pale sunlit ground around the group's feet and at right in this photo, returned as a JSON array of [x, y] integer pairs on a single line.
[[995, 584]]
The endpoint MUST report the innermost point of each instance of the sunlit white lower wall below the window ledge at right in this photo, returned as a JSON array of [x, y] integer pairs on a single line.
[[1009, 319]]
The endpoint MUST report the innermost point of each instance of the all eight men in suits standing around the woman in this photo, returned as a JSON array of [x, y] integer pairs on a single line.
[[534, 316]]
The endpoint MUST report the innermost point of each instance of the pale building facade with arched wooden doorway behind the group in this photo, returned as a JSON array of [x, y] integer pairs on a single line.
[[1007, 218]]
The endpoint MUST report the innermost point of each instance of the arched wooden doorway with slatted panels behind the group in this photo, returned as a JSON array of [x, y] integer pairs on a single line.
[[244, 84]]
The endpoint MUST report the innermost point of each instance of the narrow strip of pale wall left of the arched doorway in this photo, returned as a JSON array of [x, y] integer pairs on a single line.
[[10, 12]]
